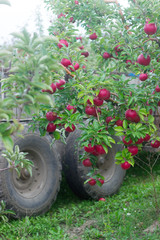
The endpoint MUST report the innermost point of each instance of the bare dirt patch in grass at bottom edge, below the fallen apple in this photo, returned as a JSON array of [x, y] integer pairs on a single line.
[[76, 232]]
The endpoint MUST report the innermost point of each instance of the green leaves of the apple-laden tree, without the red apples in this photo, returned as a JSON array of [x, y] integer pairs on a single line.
[[114, 26]]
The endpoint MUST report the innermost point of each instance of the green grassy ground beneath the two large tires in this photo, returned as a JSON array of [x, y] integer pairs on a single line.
[[124, 216]]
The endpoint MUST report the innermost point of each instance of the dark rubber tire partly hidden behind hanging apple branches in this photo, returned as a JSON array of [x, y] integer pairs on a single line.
[[76, 173]]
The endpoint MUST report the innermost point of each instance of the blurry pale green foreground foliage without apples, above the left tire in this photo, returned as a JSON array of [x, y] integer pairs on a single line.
[[28, 75]]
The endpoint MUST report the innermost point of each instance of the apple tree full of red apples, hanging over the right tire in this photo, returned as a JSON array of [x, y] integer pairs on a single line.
[[105, 80]]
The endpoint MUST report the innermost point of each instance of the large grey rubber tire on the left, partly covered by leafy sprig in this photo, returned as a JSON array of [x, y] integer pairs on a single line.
[[32, 195]]
